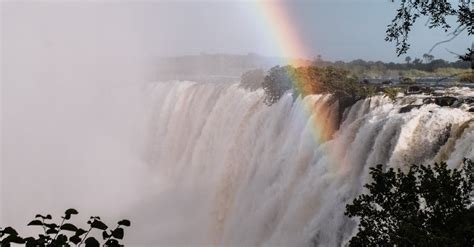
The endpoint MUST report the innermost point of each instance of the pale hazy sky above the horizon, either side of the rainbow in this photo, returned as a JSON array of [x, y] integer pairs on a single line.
[[339, 30]]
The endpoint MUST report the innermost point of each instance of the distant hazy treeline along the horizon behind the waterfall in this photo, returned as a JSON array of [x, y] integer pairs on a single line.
[[199, 67]]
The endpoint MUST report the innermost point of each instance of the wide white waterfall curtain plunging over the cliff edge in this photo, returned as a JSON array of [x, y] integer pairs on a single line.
[[232, 171]]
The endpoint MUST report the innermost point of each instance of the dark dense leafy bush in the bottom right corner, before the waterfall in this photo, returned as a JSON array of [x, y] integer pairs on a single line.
[[426, 206]]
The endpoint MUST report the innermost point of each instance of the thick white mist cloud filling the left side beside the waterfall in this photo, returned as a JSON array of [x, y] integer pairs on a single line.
[[71, 110]]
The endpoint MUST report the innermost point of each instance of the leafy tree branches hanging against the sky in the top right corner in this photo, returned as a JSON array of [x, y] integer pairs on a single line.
[[437, 12]]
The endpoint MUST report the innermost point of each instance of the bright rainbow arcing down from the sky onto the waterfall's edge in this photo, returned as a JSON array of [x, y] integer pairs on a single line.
[[285, 33]]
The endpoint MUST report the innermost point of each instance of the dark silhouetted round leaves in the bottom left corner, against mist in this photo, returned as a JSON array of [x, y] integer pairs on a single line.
[[65, 234]]
